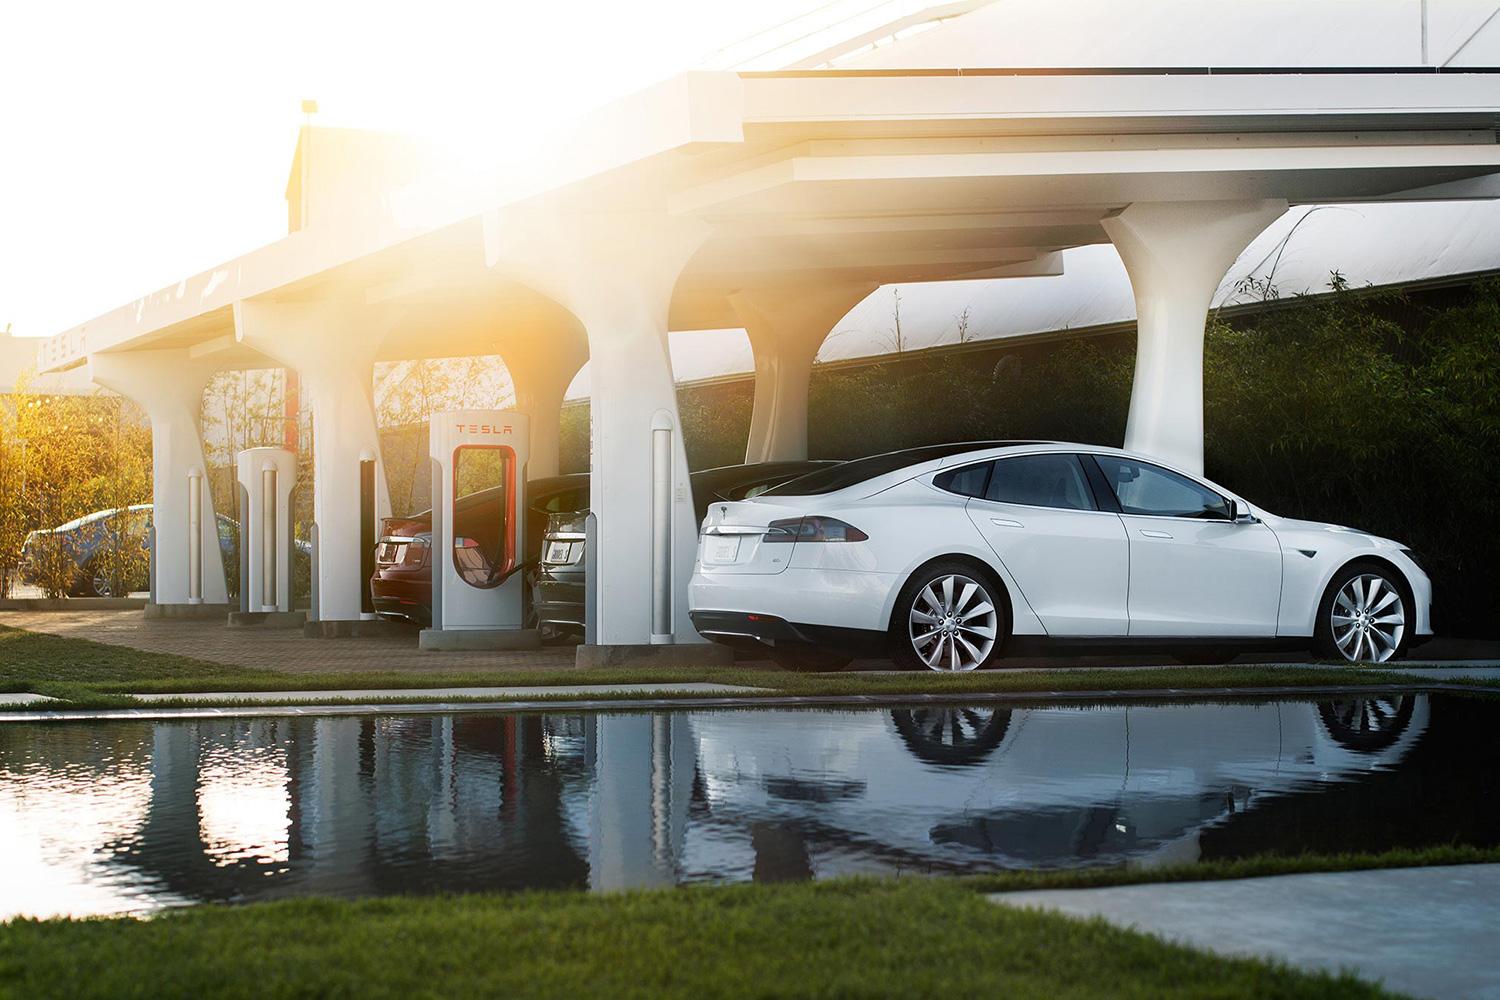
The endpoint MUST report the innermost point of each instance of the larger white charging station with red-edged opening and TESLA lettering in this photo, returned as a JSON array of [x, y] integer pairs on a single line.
[[479, 509]]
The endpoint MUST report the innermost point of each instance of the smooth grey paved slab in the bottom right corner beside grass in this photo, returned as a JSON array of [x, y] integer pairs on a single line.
[[1426, 932]]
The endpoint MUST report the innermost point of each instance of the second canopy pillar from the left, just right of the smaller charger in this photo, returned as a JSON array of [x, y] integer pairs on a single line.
[[334, 350]]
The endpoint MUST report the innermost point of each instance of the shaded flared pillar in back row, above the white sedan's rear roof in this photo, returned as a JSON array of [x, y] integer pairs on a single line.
[[787, 328]]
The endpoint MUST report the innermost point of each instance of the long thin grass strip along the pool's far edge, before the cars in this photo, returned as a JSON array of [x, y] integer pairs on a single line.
[[97, 675]]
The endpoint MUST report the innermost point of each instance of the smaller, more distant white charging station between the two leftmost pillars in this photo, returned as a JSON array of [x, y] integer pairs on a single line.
[[266, 478]]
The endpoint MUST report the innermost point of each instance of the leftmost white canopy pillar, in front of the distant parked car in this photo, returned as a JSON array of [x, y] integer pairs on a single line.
[[169, 386]]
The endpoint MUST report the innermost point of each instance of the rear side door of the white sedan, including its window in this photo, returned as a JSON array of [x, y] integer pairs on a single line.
[[1069, 558]]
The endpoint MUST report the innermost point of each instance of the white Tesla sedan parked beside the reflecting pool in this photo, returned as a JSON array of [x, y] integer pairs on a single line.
[[952, 555]]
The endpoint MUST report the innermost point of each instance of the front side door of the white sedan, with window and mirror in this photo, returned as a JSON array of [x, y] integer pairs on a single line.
[[1193, 570]]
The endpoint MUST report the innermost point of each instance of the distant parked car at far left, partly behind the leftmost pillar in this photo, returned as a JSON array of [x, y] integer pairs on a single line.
[[86, 539]]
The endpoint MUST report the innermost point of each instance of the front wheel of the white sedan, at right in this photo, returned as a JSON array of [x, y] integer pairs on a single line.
[[1366, 615]]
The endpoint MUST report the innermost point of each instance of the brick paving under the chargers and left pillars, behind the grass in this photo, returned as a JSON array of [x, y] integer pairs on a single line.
[[278, 648]]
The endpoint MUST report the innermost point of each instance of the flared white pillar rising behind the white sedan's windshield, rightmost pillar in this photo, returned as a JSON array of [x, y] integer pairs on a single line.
[[1177, 256]]
